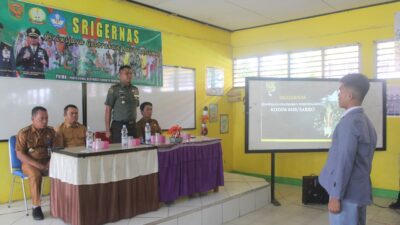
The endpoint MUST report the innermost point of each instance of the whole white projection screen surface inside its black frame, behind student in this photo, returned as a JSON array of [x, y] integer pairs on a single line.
[[292, 115]]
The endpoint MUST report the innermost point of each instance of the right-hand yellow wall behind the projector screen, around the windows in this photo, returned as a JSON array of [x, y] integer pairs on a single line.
[[363, 26]]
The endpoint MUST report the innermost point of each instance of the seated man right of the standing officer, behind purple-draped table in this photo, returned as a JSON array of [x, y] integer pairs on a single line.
[[146, 108]]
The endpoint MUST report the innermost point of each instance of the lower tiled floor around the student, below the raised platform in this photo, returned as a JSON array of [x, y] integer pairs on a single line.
[[293, 212]]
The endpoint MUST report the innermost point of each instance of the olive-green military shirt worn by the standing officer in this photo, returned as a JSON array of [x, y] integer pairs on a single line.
[[123, 100]]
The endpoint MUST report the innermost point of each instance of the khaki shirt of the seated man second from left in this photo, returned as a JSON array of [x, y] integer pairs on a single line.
[[71, 135]]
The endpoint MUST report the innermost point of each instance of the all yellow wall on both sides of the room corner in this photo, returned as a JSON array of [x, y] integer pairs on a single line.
[[189, 44]]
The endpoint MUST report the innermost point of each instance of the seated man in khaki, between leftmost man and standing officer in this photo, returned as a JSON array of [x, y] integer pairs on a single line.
[[71, 133]]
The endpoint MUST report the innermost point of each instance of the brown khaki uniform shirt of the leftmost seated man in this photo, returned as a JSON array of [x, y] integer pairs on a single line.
[[34, 142]]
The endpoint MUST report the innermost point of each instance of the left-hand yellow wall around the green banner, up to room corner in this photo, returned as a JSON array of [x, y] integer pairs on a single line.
[[185, 43]]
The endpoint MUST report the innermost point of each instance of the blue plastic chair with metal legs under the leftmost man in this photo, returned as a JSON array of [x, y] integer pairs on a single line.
[[16, 171]]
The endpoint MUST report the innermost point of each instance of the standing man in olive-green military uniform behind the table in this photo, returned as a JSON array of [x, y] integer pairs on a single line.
[[121, 103]]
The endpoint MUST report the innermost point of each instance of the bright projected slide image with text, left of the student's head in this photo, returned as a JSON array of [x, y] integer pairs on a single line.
[[319, 115]]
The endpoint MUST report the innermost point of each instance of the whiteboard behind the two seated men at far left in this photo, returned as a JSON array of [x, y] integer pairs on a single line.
[[19, 96]]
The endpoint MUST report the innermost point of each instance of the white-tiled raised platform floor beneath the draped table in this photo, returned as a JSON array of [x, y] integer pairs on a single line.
[[240, 195]]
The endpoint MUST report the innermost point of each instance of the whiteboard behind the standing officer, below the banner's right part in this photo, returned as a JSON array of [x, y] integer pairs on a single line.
[[174, 103]]
